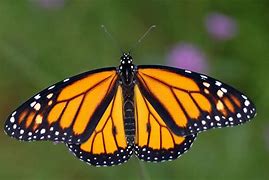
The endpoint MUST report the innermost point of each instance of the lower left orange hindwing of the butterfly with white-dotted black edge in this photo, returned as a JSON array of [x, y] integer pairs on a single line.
[[107, 144]]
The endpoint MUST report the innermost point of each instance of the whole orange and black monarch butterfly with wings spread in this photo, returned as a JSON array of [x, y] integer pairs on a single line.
[[106, 115]]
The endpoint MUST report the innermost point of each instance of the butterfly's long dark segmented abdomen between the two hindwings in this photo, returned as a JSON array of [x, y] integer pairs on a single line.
[[129, 120]]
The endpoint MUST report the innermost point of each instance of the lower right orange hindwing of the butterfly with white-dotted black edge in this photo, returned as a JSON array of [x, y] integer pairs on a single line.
[[154, 141]]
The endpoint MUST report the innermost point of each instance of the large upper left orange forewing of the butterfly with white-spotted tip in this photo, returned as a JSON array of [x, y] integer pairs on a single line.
[[67, 111]]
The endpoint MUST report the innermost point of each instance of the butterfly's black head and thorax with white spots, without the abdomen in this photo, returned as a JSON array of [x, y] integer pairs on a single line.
[[126, 68]]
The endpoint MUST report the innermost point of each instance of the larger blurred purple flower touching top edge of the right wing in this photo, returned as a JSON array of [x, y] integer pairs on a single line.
[[187, 56]]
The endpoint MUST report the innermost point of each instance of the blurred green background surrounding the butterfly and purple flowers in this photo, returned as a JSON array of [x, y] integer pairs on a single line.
[[44, 41]]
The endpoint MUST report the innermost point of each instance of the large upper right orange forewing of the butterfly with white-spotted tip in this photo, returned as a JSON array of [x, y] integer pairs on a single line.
[[189, 102]]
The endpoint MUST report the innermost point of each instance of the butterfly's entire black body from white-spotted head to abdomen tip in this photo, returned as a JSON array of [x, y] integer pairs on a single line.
[[126, 72]]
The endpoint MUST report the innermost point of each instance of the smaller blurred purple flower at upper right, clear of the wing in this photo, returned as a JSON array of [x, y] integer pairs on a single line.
[[220, 26]]
